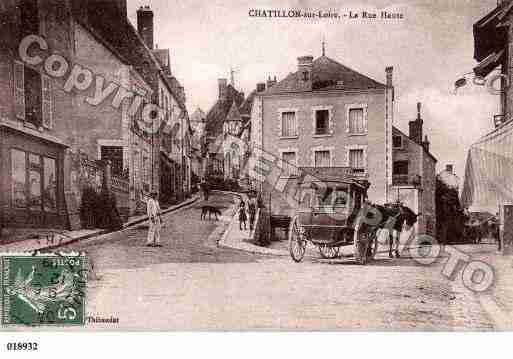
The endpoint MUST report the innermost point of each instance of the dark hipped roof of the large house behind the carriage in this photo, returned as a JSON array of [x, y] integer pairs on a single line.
[[327, 74]]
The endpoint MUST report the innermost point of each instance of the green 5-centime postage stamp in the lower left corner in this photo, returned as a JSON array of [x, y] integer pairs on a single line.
[[43, 289]]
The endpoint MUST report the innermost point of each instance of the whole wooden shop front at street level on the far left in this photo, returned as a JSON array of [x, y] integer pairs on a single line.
[[32, 180]]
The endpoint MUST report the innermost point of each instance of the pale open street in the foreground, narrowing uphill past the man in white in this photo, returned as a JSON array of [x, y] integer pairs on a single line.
[[189, 283]]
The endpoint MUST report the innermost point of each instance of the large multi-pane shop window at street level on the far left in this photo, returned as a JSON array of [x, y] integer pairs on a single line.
[[33, 182]]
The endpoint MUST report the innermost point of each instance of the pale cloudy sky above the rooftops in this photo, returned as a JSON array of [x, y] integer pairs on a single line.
[[429, 49]]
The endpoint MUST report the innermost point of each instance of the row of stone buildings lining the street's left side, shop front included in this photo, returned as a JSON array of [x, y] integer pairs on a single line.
[[53, 115]]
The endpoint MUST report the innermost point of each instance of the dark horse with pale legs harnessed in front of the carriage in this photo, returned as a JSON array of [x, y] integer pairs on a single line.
[[392, 217]]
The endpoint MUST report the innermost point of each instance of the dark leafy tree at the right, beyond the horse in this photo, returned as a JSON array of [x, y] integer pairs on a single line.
[[450, 217]]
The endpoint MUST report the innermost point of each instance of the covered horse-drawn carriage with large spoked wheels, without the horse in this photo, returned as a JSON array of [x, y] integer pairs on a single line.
[[327, 217]]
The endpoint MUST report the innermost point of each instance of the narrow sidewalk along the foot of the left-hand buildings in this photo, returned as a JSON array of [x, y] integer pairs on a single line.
[[54, 239]]
